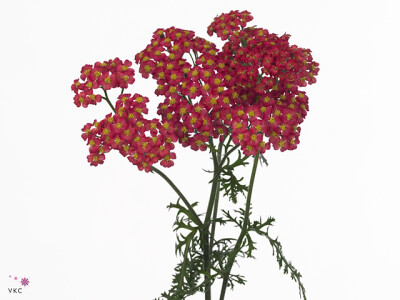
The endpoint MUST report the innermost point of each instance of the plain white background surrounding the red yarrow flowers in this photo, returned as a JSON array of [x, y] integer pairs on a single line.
[[80, 232]]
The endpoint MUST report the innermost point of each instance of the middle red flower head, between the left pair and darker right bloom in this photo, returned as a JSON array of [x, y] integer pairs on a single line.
[[180, 82]]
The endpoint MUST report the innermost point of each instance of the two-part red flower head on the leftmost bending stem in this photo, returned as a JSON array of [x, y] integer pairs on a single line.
[[144, 142]]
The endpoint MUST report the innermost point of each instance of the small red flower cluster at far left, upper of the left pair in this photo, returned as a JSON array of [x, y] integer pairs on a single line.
[[107, 75]]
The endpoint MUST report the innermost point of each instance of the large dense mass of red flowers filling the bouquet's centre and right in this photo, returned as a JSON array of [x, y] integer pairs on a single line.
[[248, 89]]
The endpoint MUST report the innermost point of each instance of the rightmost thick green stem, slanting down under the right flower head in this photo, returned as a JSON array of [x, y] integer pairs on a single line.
[[243, 232]]
